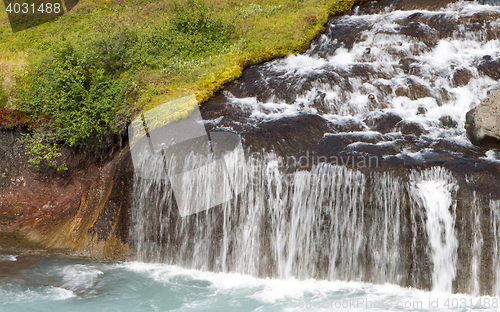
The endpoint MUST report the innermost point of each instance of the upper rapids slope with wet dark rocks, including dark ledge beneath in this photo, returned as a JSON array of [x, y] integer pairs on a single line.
[[392, 73]]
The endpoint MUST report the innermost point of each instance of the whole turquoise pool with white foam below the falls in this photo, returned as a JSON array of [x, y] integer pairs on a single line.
[[136, 286]]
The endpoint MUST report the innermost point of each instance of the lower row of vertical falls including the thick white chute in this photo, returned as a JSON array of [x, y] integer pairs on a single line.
[[329, 222]]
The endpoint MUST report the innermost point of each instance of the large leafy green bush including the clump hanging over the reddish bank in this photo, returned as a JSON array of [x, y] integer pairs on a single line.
[[74, 100]]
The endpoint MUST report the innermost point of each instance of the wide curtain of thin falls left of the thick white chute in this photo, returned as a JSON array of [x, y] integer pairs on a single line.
[[302, 224]]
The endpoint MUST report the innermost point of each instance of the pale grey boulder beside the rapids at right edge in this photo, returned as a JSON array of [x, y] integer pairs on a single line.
[[483, 122]]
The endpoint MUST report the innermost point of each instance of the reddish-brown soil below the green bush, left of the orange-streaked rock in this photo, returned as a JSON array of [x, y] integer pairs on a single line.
[[39, 200]]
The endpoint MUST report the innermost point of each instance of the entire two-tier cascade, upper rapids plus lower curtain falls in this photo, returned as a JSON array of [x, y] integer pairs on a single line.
[[393, 85]]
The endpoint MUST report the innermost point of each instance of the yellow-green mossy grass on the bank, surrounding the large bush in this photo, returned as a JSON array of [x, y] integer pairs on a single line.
[[157, 47]]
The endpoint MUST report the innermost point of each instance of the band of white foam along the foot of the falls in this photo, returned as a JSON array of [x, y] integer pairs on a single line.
[[288, 294]]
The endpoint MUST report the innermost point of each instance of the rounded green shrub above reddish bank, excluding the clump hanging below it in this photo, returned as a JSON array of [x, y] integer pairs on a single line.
[[74, 98]]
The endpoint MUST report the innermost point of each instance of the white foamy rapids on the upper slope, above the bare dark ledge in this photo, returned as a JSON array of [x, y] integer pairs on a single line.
[[401, 74]]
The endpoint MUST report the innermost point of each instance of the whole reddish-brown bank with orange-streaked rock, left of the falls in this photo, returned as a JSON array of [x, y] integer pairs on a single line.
[[60, 210]]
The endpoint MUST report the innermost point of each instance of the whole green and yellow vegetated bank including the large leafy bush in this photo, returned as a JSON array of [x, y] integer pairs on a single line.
[[79, 80]]
